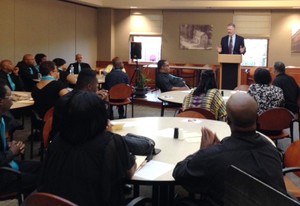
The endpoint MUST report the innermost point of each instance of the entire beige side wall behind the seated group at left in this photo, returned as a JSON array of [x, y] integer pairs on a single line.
[[56, 28]]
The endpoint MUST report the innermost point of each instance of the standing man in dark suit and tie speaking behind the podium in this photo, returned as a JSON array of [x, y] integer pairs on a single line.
[[232, 43]]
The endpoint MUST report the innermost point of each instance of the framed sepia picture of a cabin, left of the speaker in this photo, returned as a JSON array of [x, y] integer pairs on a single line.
[[195, 36]]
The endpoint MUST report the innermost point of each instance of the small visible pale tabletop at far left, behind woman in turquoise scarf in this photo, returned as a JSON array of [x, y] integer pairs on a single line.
[[21, 99]]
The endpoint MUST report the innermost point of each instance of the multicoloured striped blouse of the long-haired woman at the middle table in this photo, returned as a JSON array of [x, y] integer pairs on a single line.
[[211, 101]]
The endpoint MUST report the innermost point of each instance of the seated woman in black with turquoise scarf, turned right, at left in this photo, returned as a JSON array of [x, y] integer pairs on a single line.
[[48, 90]]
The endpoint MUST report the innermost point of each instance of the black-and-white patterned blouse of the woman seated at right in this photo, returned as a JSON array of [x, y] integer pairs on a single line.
[[266, 96]]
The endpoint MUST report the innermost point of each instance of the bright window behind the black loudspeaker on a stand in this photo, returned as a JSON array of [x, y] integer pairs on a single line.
[[151, 47]]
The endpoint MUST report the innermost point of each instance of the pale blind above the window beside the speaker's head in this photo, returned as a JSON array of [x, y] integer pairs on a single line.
[[254, 24]]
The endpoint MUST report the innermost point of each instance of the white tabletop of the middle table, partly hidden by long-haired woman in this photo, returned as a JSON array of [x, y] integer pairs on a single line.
[[178, 96]]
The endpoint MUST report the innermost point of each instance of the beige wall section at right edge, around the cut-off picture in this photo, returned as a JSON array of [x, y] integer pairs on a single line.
[[280, 39]]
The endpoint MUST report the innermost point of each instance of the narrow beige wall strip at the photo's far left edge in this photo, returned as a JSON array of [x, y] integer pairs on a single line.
[[7, 29]]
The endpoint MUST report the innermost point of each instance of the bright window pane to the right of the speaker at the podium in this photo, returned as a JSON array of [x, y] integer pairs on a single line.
[[256, 52]]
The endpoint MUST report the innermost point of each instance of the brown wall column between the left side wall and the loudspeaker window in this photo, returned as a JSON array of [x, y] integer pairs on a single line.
[[105, 34]]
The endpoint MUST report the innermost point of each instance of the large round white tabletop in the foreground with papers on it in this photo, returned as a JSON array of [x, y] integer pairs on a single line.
[[161, 130]]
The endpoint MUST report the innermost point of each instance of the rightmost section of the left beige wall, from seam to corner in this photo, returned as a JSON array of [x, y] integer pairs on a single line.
[[86, 34]]
